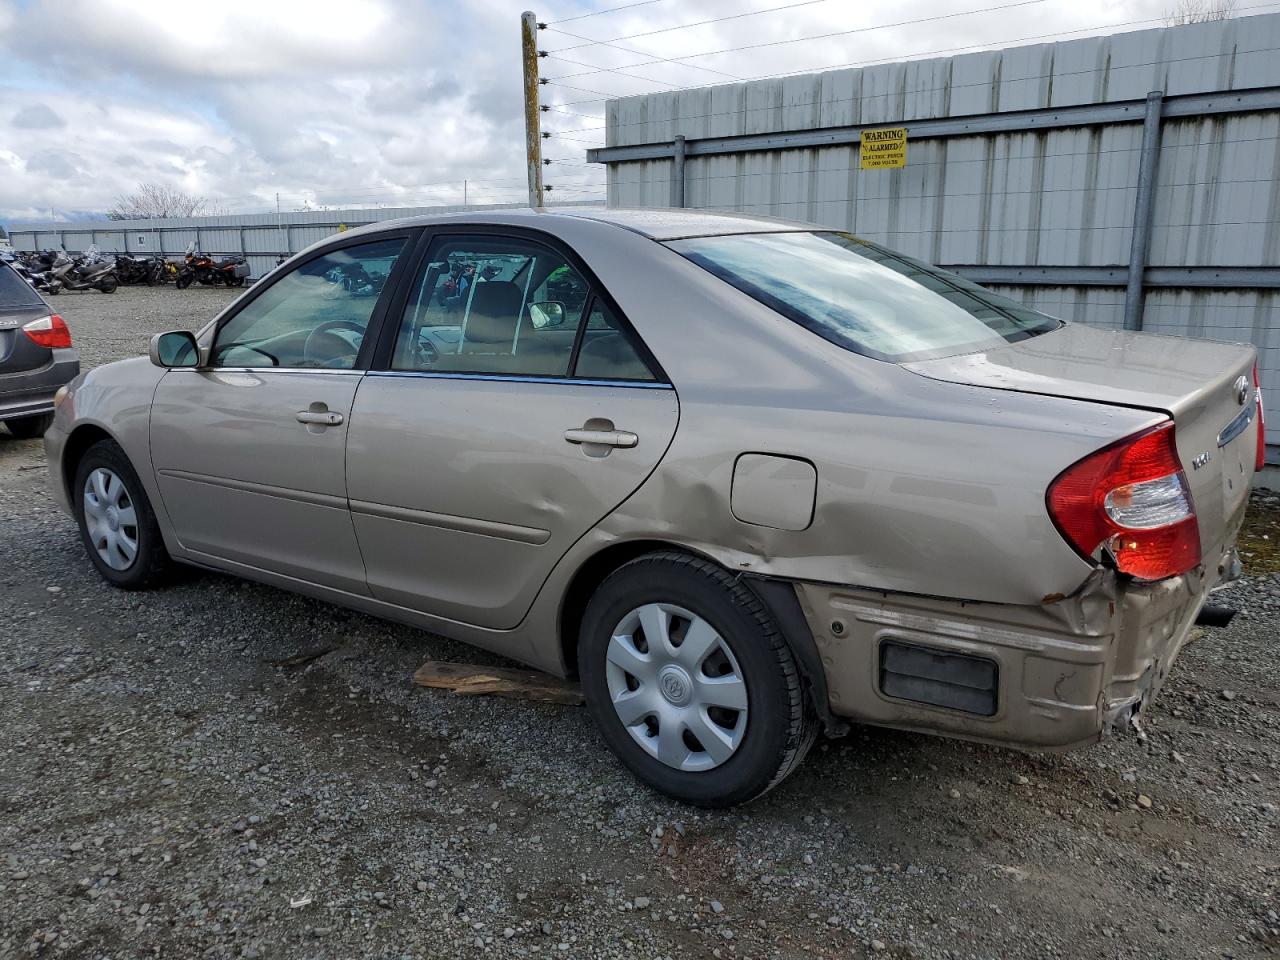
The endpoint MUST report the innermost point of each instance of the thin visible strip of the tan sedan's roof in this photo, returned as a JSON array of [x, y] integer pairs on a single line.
[[659, 225]]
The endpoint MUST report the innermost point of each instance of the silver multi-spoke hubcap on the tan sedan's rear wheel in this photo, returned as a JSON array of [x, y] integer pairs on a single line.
[[676, 687]]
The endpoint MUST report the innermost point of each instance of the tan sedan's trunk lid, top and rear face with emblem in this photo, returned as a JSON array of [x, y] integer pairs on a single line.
[[1197, 383]]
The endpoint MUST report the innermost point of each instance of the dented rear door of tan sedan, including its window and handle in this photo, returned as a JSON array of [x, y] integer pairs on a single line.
[[515, 410]]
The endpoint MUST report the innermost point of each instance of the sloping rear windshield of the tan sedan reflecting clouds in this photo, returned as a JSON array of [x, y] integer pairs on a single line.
[[863, 298]]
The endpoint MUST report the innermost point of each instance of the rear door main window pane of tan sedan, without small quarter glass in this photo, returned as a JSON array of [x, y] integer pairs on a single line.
[[493, 307]]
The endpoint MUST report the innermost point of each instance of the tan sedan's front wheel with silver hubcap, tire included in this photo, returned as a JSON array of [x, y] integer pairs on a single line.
[[117, 524]]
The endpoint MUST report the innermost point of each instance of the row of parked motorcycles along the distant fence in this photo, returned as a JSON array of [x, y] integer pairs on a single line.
[[52, 272]]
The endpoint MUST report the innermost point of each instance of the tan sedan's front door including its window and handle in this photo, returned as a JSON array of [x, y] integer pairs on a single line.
[[250, 450]]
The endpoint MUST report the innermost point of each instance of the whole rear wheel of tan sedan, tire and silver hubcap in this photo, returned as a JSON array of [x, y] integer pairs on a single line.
[[691, 682]]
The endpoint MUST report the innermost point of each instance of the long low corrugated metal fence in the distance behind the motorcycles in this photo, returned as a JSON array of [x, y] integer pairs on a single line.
[[260, 237]]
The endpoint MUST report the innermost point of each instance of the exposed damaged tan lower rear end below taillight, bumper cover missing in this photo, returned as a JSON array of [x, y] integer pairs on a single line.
[[1052, 676]]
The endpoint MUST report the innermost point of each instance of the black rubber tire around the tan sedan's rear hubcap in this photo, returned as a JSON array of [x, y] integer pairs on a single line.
[[781, 726]]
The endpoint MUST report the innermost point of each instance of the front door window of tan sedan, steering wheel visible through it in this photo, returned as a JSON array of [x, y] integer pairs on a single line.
[[314, 317]]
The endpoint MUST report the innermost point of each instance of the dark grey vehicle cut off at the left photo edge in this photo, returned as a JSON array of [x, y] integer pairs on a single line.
[[36, 356]]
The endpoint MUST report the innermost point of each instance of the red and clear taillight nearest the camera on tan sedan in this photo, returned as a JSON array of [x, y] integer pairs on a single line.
[[1132, 500]]
